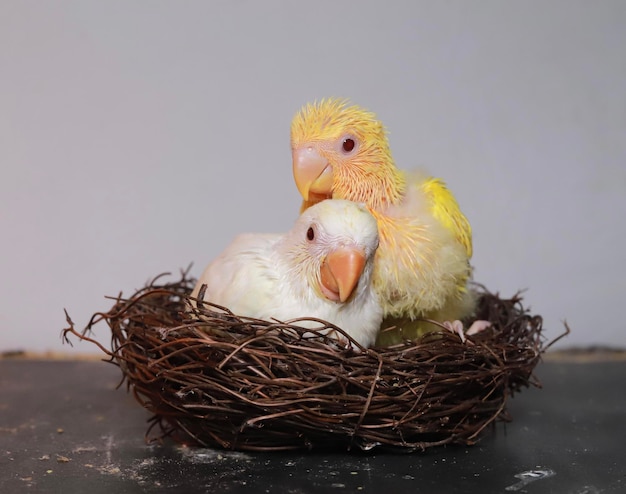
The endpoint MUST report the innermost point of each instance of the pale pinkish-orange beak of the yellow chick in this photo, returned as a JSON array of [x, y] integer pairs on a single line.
[[312, 173]]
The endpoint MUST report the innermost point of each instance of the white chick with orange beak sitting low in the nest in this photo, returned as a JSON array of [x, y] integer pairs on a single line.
[[322, 268]]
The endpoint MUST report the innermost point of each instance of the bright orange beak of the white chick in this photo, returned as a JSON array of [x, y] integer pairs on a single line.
[[340, 273]]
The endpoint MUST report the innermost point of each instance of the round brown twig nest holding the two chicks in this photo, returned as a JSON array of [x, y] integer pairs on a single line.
[[216, 379]]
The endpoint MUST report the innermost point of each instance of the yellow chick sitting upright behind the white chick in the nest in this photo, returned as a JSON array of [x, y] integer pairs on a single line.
[[421, 268]]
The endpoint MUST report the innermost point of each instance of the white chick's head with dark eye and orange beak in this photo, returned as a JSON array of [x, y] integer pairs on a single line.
[[332, 246]]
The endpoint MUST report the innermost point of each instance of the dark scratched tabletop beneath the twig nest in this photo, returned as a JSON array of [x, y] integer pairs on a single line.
[[65, 428]]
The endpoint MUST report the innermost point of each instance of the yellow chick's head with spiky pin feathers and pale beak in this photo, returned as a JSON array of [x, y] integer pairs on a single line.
[[341, 151]]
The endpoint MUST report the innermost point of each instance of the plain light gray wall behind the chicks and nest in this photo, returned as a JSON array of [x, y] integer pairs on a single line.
[[137, 137]]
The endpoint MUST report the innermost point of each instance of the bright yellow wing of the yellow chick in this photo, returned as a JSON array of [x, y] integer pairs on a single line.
[[446, 210]]
